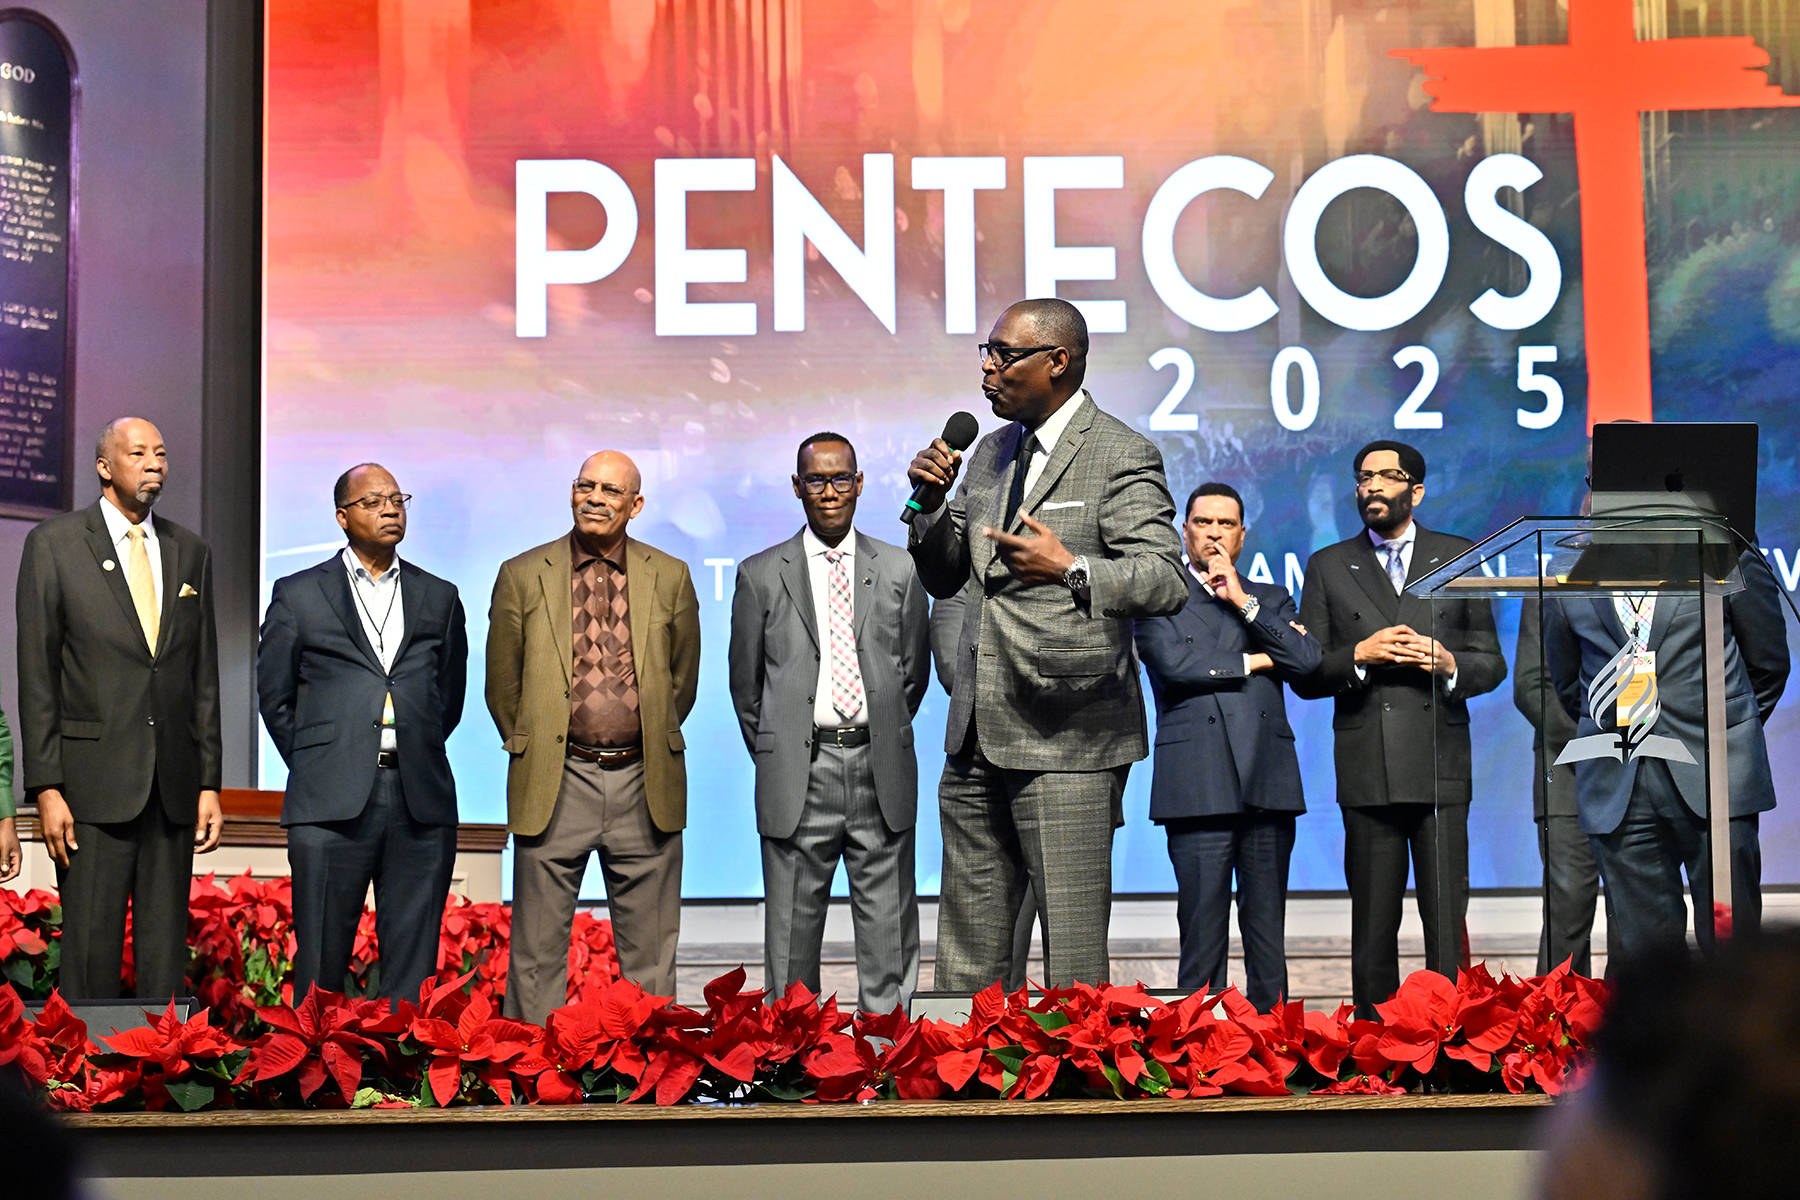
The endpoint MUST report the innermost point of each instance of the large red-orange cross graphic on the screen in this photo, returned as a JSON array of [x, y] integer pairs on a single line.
[[1606, 78]]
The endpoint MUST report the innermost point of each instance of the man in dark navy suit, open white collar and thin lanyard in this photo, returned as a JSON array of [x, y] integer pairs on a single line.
[[361, 679]]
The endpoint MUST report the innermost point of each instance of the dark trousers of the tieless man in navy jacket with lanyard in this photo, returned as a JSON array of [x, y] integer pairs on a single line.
[[334, 864]]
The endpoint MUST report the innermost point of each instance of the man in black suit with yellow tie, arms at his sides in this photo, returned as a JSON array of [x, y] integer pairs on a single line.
[[120, 717]]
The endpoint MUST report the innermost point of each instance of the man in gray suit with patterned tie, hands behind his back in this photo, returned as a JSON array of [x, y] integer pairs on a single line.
[[829, 663]]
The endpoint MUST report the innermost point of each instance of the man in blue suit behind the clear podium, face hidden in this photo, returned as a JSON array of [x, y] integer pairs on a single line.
[[1644, 798]]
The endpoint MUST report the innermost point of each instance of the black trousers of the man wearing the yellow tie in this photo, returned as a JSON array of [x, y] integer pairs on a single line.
[[148, 863]]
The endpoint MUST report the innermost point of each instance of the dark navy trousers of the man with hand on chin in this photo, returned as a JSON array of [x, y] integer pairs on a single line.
[[1209, 852]]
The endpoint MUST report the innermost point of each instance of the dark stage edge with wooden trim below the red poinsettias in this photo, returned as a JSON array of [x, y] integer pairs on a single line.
[[611, 1136]]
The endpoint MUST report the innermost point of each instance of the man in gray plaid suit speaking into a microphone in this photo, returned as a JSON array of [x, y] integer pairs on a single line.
[[1066, 526]]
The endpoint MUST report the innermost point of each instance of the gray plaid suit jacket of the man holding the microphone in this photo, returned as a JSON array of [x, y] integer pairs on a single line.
[[1052, 676]]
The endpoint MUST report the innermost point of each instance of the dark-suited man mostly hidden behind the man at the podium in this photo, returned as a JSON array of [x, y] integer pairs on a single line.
[[1572, 879]]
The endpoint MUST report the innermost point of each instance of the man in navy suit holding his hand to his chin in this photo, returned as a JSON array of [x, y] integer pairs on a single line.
[[1227, 785]]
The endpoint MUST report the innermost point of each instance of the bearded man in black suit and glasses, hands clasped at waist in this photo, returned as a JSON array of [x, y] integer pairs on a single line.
[[1401, 672]]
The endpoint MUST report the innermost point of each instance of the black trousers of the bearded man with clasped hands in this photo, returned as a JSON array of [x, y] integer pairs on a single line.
[[1378, 845]]
